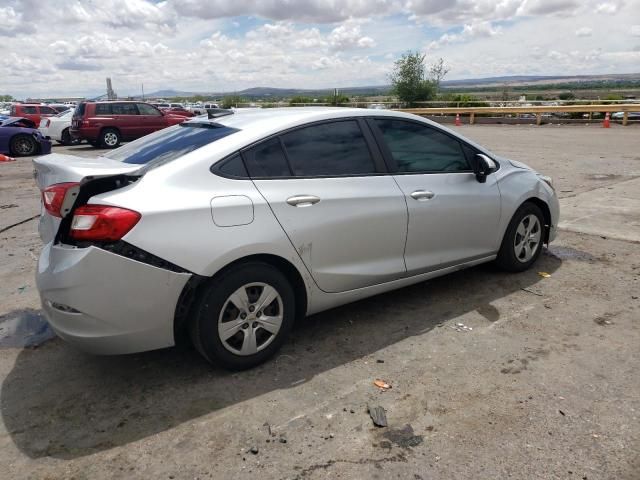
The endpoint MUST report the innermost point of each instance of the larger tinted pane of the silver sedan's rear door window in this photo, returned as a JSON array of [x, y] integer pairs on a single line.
[[329, 149]]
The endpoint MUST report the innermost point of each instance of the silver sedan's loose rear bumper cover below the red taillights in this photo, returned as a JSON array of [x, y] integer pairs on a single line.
[[107, 304]]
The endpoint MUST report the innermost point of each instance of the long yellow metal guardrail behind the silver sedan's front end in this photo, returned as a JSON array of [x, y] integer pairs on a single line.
[[537, 110]]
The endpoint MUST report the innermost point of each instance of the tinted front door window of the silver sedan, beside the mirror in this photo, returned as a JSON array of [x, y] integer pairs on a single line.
[[420, 148]]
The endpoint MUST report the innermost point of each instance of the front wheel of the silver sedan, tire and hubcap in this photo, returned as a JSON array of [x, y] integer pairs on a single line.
[[522, 242]]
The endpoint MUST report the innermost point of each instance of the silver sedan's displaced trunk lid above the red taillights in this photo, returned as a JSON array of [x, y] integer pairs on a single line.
[[58, 168]]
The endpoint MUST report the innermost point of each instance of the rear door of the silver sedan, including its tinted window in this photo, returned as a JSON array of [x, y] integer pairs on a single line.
[[326, 185]]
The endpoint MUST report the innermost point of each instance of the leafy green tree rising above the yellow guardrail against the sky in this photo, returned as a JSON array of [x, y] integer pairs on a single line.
[[409, 80]]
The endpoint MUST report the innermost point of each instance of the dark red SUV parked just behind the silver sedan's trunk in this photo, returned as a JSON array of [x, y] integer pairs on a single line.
[[106, 124]]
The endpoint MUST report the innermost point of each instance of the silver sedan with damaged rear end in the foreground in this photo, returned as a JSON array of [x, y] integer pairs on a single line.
[[233, 226]]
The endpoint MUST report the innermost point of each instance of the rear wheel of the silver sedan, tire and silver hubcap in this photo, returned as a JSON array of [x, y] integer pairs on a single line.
[[243, 316]]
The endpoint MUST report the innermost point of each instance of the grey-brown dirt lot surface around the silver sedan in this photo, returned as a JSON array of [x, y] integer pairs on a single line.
[[545, 384]]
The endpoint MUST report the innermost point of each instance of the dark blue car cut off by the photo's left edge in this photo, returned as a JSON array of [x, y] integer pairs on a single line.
[[20, 137]]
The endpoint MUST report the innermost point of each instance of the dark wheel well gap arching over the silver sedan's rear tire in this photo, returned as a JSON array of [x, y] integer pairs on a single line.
[[192, 288]]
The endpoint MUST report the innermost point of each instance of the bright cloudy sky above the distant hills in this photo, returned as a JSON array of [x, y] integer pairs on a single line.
[[69, 47]]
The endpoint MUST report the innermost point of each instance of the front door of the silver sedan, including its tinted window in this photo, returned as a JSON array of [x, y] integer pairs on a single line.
[[452, 217]]
